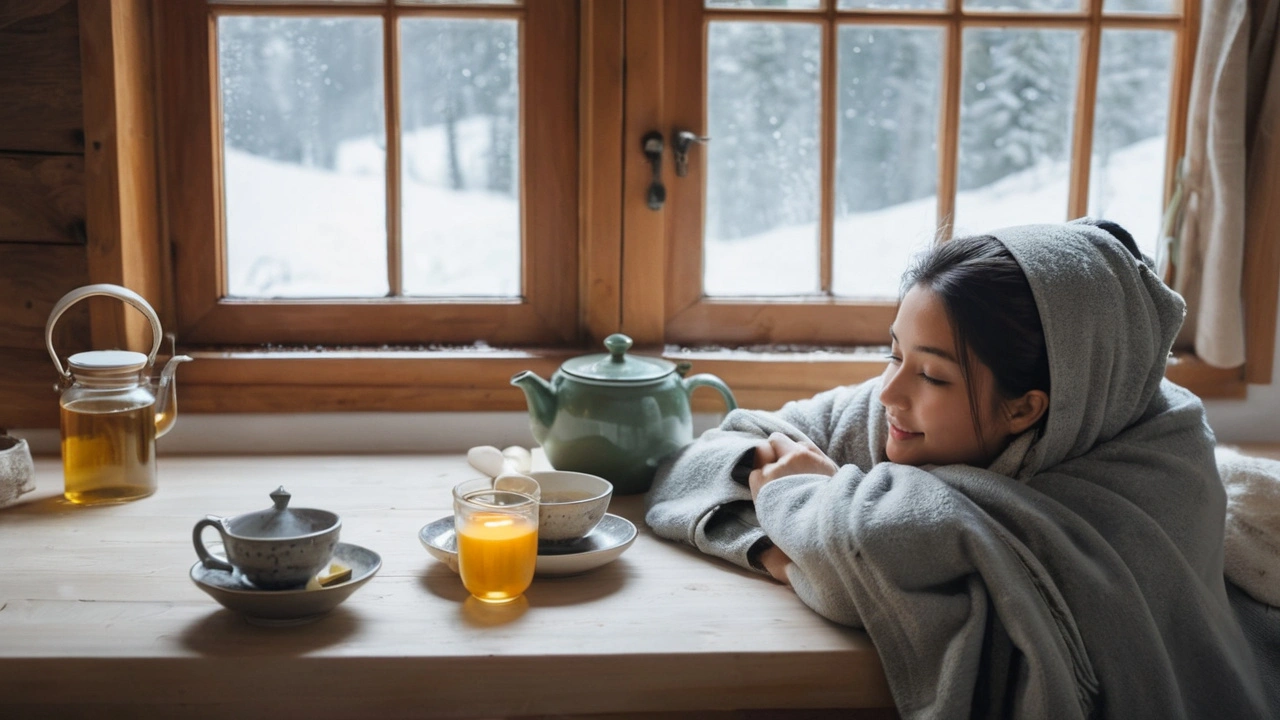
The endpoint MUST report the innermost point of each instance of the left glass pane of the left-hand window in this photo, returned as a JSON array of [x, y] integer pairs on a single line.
[[304, 161]]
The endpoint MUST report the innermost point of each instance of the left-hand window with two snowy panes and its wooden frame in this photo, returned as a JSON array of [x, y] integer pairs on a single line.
[[373, 172]]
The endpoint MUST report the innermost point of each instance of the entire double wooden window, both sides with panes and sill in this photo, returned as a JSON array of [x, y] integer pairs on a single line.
[[472, 175]]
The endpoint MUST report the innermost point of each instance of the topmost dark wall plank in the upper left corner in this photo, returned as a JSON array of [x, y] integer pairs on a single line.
[[40, 78]]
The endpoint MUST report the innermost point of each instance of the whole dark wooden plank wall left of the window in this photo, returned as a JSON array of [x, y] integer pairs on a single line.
[[43, 231]]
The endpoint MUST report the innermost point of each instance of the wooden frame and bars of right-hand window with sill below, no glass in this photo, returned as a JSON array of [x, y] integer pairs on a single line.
[[670, 308]]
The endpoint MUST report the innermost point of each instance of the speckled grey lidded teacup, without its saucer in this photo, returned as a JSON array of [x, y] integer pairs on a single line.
[[273, 549]]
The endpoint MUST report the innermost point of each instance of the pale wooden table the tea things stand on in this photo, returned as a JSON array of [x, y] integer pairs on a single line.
[[99, 617]]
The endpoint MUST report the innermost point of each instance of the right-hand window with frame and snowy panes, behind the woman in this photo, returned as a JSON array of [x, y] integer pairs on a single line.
[[847, 136]]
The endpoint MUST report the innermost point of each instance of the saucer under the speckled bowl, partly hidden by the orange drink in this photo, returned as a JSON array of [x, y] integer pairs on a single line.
[[604, 545]]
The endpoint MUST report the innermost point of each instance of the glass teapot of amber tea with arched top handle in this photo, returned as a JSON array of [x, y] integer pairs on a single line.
[[111, 416]]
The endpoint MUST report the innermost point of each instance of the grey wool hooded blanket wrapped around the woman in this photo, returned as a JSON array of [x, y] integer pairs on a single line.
[[1081, 576]]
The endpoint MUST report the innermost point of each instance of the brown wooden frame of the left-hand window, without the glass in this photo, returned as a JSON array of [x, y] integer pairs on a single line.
[[193, 149]]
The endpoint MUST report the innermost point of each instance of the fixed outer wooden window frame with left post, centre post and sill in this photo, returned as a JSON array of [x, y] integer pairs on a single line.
[[621, 276]]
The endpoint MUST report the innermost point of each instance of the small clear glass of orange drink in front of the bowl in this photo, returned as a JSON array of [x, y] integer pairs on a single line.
[[497, 532]]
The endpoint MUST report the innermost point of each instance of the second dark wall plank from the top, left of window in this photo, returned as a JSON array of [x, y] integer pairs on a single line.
[[42, 199]]
